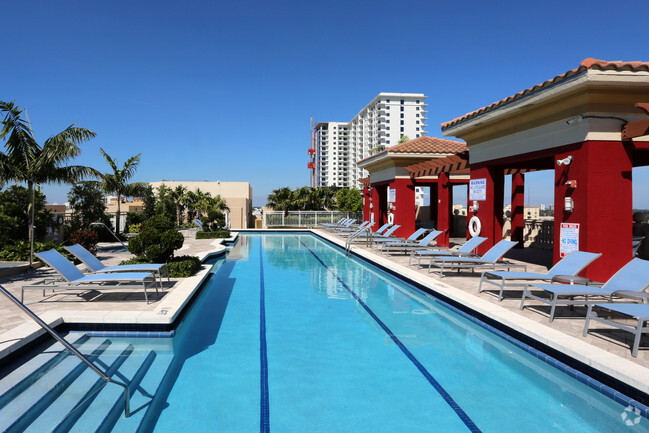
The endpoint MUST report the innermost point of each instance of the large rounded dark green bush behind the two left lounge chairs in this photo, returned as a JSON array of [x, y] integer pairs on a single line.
[[158, 241]]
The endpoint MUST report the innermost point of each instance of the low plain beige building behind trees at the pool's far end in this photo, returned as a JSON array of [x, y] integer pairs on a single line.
[[237, 195]]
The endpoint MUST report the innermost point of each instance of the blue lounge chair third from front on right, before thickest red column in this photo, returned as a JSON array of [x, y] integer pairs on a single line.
[[572, 264]]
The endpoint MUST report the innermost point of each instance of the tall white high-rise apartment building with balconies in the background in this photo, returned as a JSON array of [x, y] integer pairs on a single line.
[[337, 145]]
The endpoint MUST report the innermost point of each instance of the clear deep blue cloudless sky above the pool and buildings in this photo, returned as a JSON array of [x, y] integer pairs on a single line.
[[223, 90]]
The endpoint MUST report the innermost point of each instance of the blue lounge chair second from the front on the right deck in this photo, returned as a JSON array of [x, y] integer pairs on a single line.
[[632, 279]]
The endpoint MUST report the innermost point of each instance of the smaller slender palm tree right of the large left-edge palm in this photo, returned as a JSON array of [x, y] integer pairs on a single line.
[[117, 182]]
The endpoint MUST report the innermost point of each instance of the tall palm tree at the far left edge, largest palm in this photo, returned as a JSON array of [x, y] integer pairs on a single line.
[[27, 161]]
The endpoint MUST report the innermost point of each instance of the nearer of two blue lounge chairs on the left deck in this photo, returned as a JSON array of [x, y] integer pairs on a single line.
[[76, 280]]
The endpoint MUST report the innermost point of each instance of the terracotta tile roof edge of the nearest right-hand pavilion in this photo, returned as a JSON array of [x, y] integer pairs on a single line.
[[585, 65]]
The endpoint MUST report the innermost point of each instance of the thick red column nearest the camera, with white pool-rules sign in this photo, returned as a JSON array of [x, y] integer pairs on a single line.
[[603, 203]]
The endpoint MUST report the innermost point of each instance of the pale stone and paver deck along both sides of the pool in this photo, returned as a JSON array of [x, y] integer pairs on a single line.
[[607, 351]]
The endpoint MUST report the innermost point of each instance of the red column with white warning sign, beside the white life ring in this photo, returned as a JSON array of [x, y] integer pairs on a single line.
[[490, 210]]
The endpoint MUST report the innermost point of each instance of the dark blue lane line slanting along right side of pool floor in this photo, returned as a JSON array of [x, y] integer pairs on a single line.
[[438, 387]]
